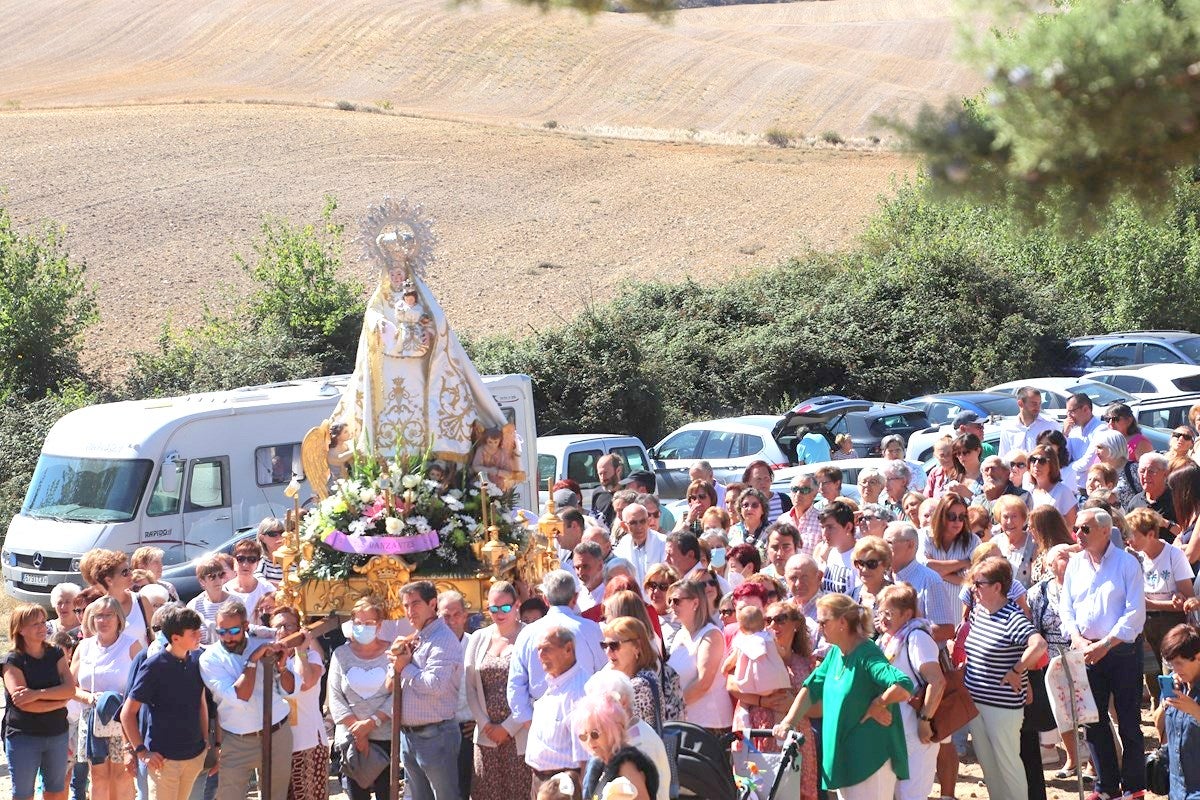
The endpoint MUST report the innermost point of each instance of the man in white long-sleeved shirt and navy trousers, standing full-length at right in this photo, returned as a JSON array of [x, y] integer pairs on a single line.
[[1103, 610]]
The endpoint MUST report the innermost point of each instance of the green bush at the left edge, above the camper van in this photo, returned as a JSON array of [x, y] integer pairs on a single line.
[[45, 309]]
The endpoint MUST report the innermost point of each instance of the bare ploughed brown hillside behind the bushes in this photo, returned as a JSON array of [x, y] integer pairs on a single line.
[[159, 134]]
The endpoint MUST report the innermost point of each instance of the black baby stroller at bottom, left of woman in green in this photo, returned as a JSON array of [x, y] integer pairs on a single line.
[[706, 769]]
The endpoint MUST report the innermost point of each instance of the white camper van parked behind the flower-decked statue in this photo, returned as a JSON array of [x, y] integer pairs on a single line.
[[184, 474]]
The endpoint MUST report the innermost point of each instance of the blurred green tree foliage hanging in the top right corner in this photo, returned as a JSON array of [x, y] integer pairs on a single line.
[[1089, 103]]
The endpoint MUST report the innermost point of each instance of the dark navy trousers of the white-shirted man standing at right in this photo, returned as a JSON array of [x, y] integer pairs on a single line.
[[1118, 676]]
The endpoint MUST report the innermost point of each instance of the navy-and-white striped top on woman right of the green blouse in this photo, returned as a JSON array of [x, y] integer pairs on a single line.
[[994, 647]]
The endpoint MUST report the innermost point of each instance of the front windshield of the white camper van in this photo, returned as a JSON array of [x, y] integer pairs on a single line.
[[87, 490]]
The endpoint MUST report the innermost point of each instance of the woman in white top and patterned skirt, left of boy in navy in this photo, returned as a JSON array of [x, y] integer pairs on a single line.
[[101, 664]]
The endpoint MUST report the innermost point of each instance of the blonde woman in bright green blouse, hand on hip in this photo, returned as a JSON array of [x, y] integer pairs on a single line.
[[863, 742]]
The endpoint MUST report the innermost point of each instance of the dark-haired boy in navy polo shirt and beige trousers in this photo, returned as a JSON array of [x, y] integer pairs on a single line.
[[170, 685]]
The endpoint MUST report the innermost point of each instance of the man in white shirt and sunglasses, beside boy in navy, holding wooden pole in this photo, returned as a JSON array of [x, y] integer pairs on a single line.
[[231, 672]]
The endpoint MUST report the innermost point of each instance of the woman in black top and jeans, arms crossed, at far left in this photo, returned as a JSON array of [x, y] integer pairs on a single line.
[[38, 684]]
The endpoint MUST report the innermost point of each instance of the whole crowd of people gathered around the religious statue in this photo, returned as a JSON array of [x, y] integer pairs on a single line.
[[856, 622]]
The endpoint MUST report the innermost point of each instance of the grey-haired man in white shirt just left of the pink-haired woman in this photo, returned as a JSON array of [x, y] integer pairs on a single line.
[[551, 747]]
